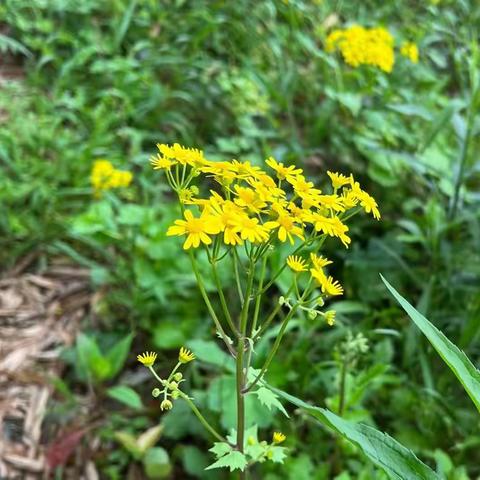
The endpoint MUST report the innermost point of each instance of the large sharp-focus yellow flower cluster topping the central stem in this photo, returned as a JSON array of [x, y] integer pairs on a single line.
[[253, 206]]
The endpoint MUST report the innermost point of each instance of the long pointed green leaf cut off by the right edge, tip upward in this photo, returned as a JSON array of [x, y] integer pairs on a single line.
[[458, 362]]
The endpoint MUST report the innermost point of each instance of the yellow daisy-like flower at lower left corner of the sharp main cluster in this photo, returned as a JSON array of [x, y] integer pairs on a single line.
[[196, 229]]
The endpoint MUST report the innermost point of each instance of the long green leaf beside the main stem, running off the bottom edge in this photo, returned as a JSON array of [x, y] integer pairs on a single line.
[[397, 461]]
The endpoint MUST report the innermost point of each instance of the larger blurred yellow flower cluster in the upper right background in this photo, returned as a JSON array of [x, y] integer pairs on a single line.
[[363, 46]]
